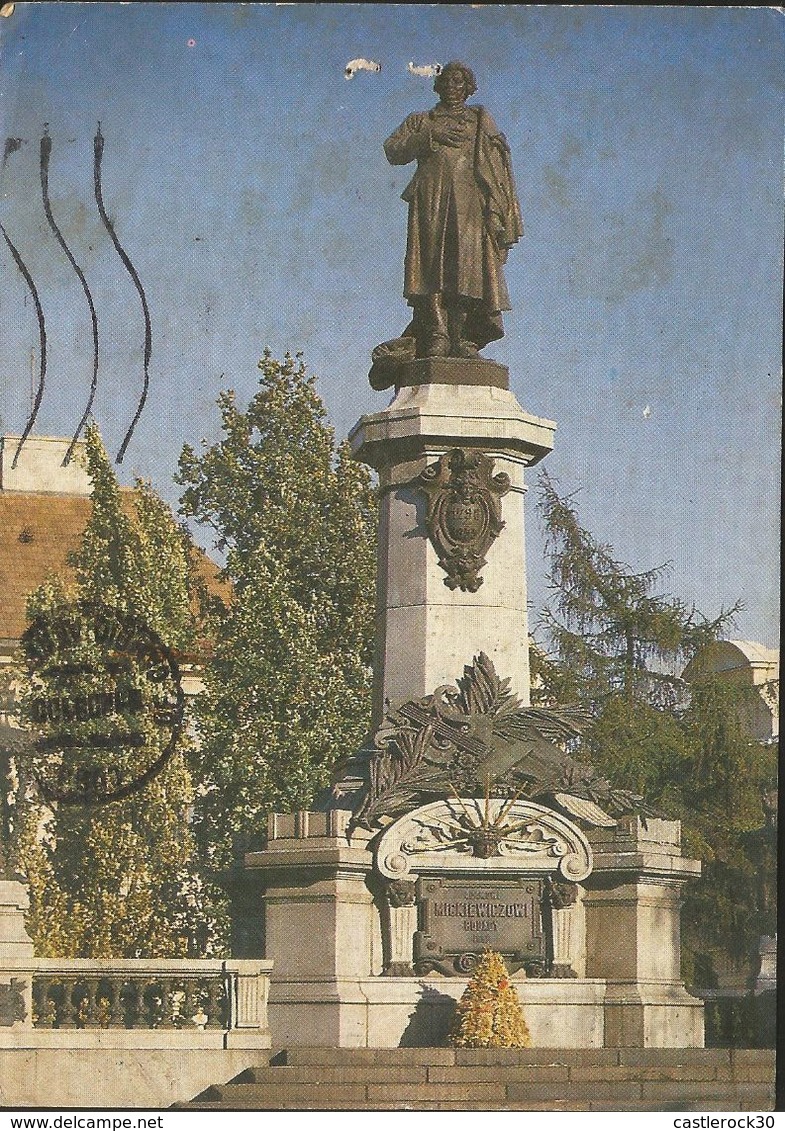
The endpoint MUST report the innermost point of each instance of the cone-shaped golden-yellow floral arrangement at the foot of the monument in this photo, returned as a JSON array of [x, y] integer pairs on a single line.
[[489, 1014]]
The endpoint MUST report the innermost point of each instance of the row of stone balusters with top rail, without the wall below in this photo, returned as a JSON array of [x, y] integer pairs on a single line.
[[191, 995]]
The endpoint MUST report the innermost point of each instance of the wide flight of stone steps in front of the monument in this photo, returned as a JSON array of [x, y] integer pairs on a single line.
[[447, 1080]]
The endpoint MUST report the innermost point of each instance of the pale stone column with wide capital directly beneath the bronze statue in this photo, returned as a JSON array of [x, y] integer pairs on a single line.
[[428, 632]]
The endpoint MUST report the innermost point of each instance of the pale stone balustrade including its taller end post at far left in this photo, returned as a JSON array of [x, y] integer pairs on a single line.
[[124, 1004]]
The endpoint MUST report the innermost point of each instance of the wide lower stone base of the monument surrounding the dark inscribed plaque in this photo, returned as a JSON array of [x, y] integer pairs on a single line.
[[341, 918]]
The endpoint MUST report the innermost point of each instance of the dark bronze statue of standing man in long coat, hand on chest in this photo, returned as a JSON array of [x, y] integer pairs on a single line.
[[463, 218]]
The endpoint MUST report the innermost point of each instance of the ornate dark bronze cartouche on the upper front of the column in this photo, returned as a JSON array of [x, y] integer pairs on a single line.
[[464, 513]]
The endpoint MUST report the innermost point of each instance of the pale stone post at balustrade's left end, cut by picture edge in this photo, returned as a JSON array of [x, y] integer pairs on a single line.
[[16, 957]]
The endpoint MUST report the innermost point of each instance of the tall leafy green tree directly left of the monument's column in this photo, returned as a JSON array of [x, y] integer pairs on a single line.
[[288, 690]]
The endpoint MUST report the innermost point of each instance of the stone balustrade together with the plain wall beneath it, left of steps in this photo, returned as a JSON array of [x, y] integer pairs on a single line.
[[124, 1033]]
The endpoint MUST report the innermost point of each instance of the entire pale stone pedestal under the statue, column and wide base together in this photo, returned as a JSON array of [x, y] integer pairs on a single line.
[[350, 920]]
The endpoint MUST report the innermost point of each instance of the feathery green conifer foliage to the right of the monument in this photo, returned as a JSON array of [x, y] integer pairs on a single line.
[[617, 644]]
